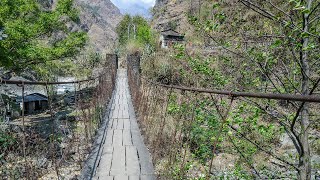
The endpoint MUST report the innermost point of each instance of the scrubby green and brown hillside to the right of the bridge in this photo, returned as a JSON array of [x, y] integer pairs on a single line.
[[250, 46]]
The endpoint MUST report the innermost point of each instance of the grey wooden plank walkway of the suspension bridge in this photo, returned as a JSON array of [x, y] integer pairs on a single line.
[[124, 155]]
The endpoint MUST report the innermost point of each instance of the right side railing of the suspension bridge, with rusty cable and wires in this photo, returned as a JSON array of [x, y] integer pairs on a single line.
[[185, 128]]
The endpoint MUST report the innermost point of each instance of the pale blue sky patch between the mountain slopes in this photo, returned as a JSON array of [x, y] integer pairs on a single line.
[[134, 7]]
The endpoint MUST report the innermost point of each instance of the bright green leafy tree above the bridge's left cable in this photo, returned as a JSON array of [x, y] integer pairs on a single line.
[[31, 31]]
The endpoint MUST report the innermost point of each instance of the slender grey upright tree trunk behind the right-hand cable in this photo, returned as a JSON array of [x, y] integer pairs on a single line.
[[304, 158]]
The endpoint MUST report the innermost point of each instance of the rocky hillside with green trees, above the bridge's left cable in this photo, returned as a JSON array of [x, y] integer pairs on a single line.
[[54, 31]]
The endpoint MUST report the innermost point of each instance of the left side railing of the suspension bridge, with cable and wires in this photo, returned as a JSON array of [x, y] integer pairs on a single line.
[[55, 143]]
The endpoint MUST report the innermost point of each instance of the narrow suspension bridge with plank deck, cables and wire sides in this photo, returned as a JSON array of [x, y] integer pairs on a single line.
[[127, 129]]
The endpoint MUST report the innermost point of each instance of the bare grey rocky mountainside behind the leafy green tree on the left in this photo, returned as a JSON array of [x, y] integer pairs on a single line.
[[97, 17]]
